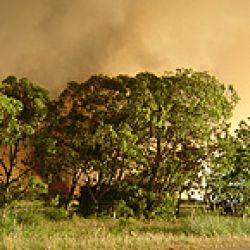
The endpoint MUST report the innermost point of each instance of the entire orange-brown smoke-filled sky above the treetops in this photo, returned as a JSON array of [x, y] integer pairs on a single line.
[[55, 41]]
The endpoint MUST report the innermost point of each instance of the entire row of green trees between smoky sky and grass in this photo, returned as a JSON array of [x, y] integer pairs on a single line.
[[133, 144]]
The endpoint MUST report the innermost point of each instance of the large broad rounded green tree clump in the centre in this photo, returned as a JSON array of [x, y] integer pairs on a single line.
[[143, 136]]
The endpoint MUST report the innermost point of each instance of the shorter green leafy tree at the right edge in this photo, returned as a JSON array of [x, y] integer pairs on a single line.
[[228, 182]]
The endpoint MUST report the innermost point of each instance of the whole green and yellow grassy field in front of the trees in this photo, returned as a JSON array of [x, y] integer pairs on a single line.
[[31, 227]]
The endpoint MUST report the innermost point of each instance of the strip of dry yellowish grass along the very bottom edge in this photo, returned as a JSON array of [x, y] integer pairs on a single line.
[[126, 241]]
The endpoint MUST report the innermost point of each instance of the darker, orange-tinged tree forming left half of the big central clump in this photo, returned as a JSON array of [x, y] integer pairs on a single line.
[[92, 139]]
